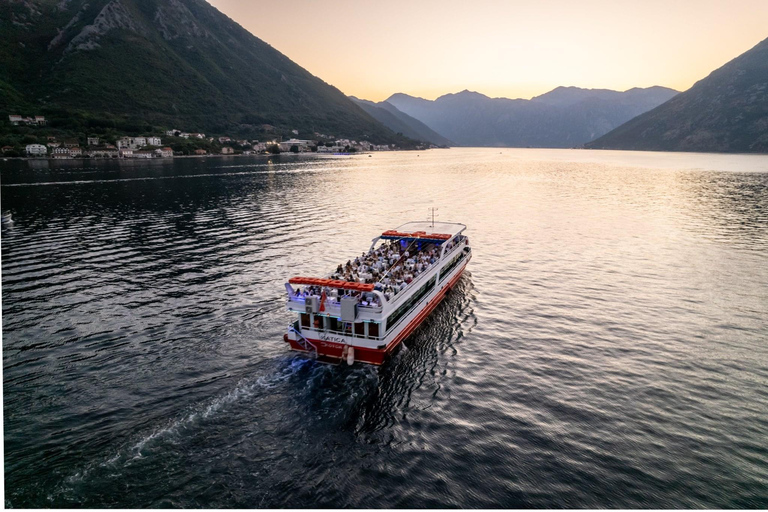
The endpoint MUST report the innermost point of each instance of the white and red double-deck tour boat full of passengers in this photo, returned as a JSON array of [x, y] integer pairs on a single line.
[[365, 309]]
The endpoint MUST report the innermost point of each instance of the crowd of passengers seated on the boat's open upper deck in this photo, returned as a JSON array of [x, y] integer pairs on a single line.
[[390, 268]]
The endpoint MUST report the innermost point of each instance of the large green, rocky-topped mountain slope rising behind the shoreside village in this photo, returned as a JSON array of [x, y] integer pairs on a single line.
[[132, 64]]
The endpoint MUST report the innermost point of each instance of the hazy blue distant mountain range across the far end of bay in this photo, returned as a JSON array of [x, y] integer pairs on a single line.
[[563, 117]]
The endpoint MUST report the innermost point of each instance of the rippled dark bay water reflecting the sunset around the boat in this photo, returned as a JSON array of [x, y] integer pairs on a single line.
[[607, 347]]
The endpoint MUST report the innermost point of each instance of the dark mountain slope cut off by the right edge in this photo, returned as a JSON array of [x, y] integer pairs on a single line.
[[727, 111]]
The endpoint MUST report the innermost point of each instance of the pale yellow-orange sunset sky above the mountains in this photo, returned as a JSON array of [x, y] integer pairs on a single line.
[[514, 49]]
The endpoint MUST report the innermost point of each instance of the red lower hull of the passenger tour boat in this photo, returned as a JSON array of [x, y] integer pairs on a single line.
[[335, 351]]
